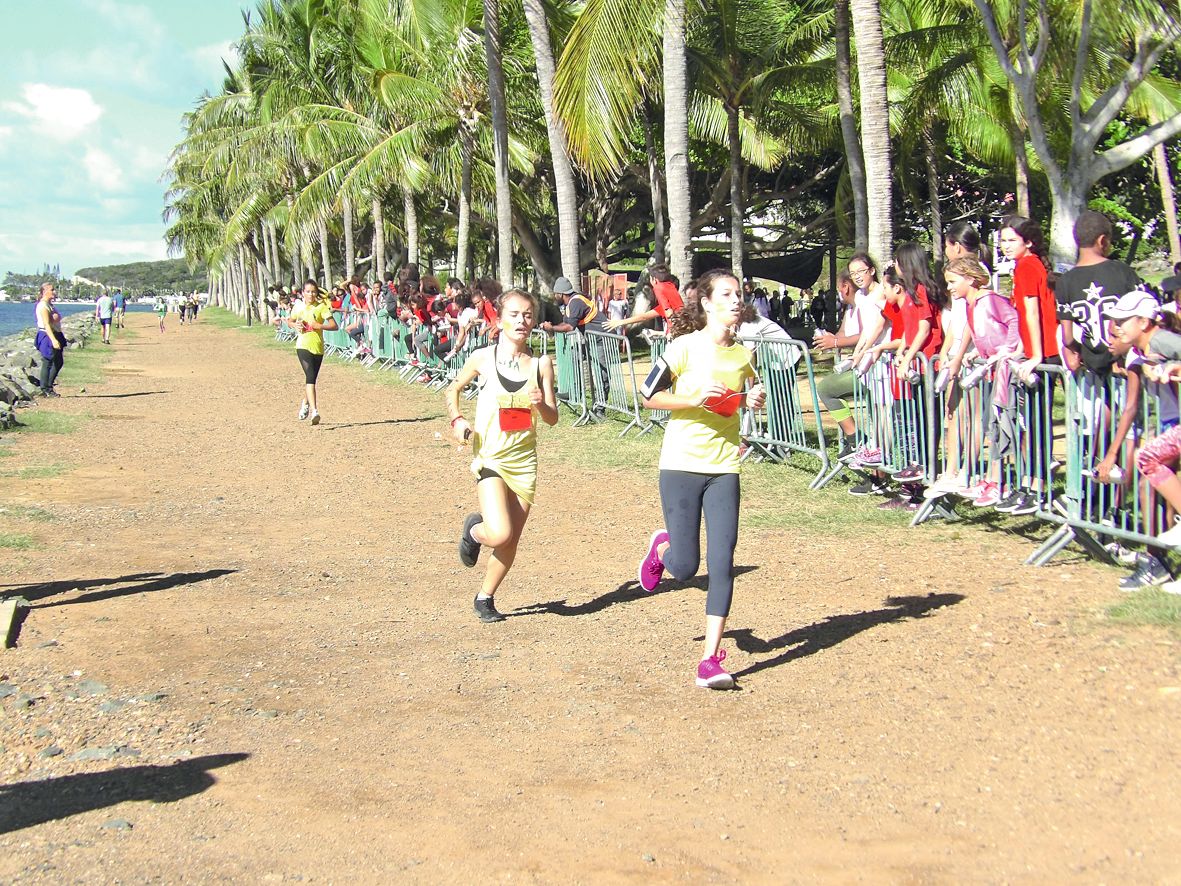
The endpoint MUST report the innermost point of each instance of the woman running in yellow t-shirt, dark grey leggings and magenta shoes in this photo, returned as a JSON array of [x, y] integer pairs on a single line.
[[700, 380]]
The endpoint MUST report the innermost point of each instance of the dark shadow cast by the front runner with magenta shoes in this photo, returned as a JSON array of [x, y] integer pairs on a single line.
[[808, 641]]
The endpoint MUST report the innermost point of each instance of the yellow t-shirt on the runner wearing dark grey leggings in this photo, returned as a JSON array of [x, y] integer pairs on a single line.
[[699, 440]]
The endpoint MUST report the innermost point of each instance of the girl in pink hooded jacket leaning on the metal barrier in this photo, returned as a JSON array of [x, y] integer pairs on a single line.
[[993, 327]]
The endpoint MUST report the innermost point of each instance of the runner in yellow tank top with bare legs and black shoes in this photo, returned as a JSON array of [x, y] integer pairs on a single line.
[[516, 389]]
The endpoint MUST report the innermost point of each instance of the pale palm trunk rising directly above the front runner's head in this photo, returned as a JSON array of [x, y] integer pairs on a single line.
[[676, 96]]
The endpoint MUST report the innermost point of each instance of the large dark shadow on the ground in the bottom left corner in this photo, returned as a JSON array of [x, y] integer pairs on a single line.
[[35, 803]]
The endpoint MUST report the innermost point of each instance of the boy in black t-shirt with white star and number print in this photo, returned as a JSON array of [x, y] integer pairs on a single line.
[[1089, 289]]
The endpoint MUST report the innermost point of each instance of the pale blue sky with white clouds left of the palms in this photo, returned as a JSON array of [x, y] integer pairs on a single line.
[[92, 99]]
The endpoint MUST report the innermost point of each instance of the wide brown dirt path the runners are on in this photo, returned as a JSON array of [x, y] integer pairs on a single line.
[[263, 634]]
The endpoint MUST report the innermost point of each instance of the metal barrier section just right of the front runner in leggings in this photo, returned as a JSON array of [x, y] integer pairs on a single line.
[[781, 427]]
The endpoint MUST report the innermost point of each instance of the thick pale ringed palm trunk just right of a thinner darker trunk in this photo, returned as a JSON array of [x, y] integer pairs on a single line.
[[867, 28]]
